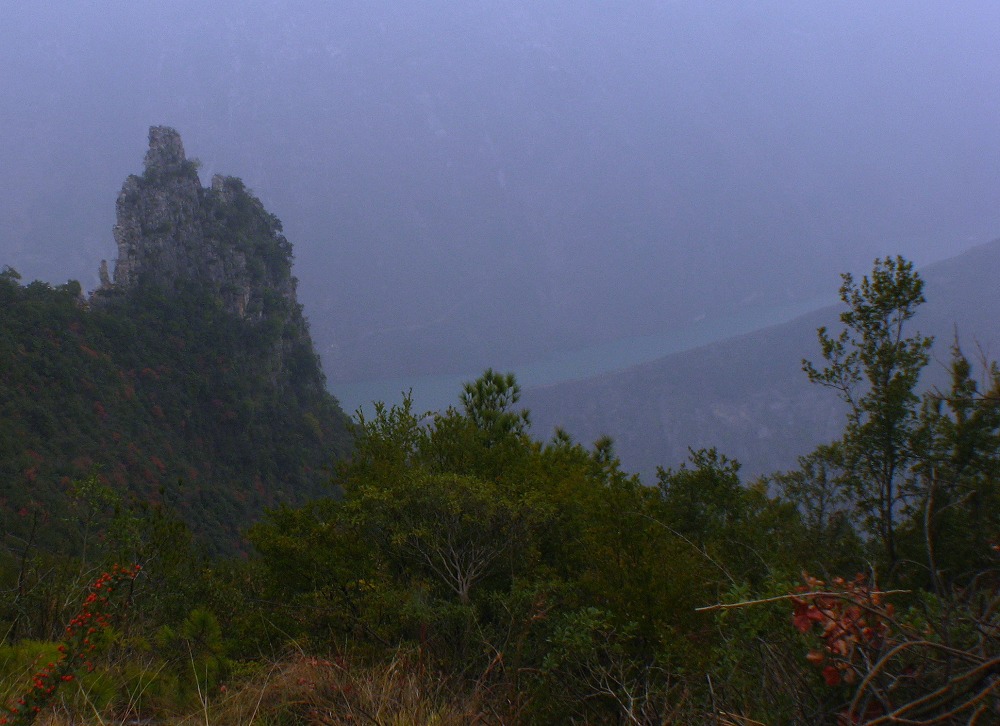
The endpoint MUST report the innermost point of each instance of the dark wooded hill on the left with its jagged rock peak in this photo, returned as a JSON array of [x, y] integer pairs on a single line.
[[190, 380]]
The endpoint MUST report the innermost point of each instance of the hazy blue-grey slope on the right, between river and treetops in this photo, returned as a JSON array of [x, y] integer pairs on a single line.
[[748, 395]]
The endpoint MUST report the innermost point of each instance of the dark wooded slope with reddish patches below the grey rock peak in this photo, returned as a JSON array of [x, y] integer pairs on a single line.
[[161, 400]]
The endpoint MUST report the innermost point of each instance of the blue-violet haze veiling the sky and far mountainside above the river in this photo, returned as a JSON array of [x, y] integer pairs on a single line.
[[482, 183]]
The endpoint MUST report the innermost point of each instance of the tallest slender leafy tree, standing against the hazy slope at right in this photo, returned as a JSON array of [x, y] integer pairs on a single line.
[[874, 364]]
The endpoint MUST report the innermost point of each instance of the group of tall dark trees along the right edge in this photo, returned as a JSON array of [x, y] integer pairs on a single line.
[[920, 472]]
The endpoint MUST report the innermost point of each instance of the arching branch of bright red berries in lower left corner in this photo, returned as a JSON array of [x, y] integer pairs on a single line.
[[79, 643]]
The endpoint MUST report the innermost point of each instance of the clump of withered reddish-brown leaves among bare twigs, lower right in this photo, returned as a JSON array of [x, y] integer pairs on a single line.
[[851, 618]]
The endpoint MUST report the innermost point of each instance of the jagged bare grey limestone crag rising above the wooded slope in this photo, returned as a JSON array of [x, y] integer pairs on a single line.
[[219, 243]]
